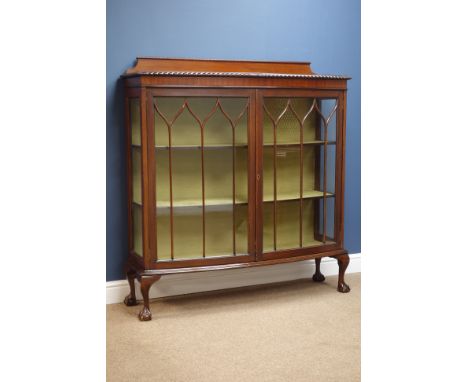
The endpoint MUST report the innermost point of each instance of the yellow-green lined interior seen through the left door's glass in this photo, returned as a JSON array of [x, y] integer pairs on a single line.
[[187, 177]]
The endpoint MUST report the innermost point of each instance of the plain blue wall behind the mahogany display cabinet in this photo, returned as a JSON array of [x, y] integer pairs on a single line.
[[325, 32]]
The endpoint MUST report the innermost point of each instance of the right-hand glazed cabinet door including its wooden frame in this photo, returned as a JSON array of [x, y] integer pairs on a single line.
[[299, 140]]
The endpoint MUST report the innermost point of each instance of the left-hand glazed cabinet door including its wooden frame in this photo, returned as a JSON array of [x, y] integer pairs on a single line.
[[203, 151]]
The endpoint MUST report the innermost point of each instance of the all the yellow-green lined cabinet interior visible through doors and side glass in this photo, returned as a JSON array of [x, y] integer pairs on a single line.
[[218, 166]]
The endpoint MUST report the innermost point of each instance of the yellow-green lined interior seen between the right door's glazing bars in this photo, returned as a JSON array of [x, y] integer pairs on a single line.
[[288, 174]]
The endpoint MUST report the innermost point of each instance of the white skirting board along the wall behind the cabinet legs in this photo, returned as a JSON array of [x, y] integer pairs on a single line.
[[178, 284]]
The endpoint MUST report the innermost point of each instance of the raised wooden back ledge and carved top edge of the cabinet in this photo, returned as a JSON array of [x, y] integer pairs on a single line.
[[155, 66]]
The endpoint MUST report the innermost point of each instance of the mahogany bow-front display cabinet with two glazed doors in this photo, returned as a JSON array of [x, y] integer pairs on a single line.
[[232, 164]]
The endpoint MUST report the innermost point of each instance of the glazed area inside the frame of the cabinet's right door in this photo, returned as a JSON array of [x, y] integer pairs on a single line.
[[294, 173]]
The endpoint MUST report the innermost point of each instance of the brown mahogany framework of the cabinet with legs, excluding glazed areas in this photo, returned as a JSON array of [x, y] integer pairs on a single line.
[[148, 268]]
